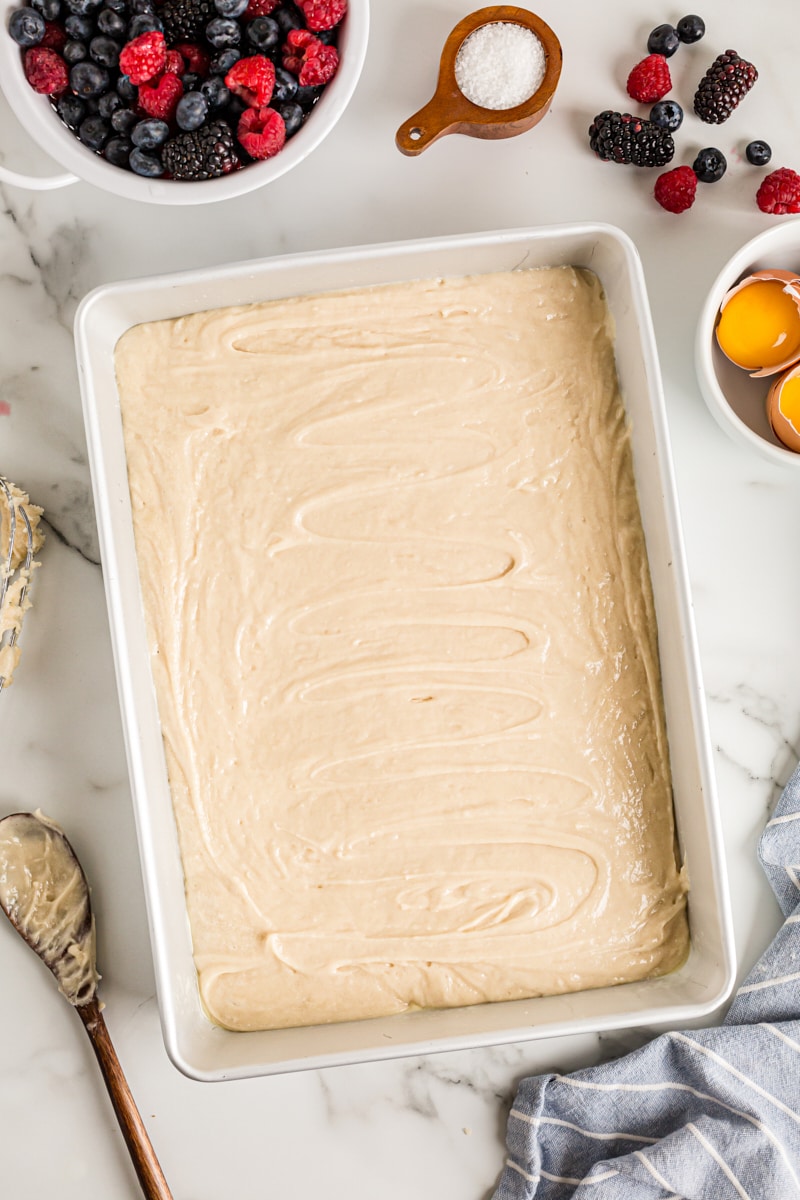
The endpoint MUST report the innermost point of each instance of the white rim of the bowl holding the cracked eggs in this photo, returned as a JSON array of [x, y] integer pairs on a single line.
[[742, 262]]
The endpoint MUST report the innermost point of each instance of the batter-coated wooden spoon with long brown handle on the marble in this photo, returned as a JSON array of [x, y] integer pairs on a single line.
[[45, 895]]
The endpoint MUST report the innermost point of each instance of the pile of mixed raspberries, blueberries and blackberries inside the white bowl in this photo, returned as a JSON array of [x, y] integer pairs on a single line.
[[181, 89]]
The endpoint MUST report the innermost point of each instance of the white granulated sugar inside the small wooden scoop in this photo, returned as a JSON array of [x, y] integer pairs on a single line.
[[501, 65]]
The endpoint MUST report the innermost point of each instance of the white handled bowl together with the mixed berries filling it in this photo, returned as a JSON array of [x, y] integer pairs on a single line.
[[178, 101]]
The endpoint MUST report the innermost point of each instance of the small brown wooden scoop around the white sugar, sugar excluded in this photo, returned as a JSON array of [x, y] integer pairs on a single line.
[[450, 112]]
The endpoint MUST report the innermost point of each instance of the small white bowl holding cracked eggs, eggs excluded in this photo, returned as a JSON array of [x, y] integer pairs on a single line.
[[737, 401]]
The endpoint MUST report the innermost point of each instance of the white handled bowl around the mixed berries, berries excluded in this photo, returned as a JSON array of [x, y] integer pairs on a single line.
[[37, 116]]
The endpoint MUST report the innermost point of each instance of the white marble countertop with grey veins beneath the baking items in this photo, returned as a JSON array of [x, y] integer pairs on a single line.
[[422, 1127]]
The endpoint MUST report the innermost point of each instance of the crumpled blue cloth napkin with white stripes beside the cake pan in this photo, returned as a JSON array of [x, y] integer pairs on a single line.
[[700, 1115]]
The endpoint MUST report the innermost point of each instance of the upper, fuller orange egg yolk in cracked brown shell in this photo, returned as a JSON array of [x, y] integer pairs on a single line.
[[760, 327]]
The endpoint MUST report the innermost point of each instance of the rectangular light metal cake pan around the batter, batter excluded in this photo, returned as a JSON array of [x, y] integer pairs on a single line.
[[208, 1053]]
